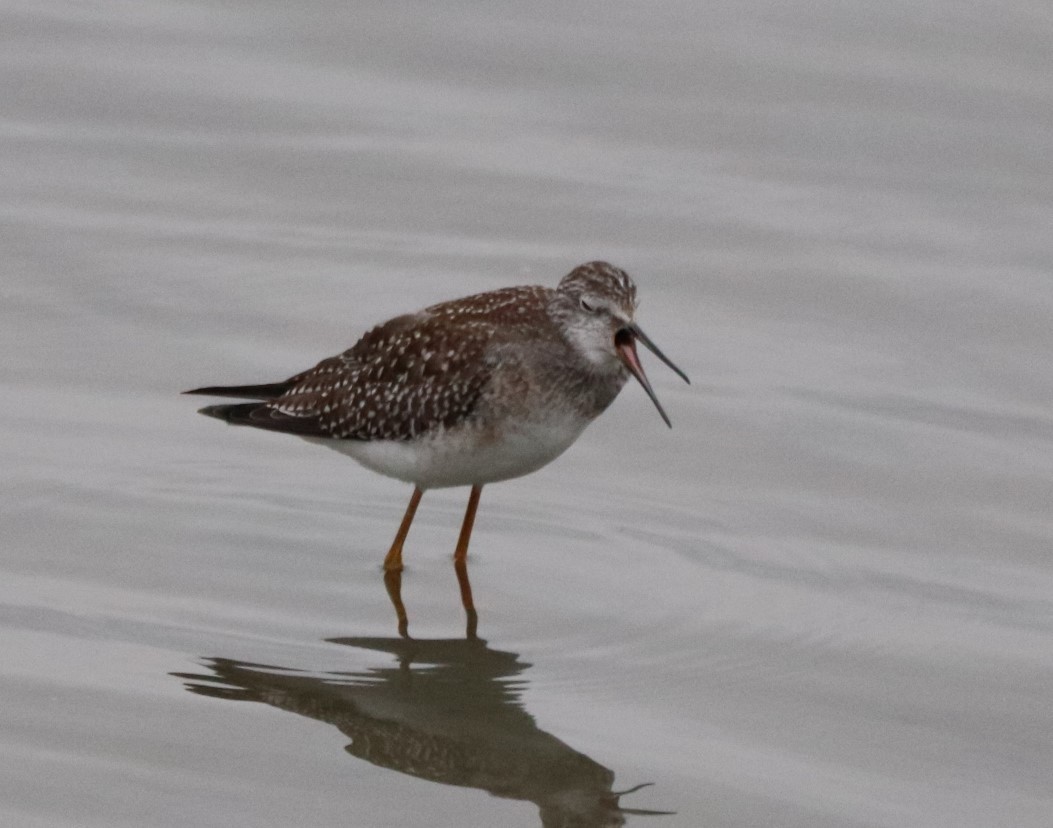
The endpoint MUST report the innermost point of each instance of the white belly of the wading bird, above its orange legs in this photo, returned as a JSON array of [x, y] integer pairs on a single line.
[[465, 457]]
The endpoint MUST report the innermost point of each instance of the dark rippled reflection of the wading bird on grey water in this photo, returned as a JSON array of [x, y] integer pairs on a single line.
[[447, 711]]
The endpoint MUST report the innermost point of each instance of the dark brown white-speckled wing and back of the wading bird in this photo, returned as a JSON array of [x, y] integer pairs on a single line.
[[405, 379]]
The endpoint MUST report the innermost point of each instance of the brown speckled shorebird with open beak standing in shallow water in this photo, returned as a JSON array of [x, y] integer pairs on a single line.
[[468, 392]]
